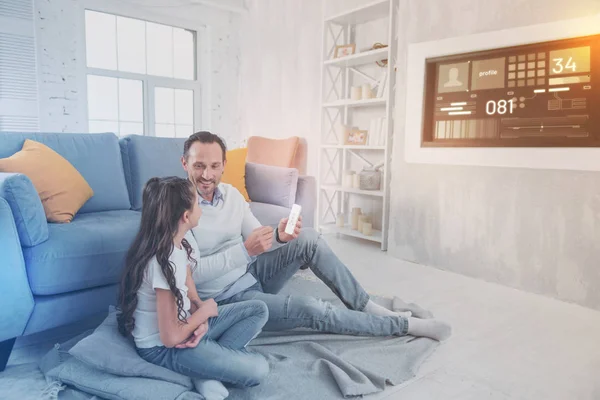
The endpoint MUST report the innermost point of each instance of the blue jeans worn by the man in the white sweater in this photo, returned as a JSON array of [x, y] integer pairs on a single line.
[[272, 270]]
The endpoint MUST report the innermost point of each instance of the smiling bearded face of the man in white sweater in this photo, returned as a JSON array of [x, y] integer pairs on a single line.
[[204, 166]]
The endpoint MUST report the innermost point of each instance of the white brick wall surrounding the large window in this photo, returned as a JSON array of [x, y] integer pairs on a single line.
[[59, 32]]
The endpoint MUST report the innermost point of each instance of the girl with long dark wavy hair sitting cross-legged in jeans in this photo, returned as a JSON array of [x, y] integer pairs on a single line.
[[159, 304]]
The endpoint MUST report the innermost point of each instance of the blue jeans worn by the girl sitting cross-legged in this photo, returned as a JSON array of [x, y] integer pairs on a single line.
[[221, 354]]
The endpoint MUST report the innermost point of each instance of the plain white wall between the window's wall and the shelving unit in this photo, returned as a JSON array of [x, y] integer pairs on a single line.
[[280, 71]]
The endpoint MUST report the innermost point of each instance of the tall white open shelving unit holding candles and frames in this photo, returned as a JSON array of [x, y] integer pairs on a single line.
[[338, 76]]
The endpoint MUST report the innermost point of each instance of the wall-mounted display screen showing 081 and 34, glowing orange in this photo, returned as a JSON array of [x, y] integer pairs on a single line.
[[542, 94]]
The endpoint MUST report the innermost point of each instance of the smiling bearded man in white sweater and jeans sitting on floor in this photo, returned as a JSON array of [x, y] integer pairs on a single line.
[[242, 260]]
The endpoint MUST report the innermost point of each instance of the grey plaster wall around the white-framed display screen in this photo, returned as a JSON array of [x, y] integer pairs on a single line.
[[536, 230]]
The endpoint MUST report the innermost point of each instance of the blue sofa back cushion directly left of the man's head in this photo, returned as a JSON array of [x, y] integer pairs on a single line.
[[145, 157]]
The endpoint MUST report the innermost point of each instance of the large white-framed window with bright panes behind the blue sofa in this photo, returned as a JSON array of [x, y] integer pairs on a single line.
[[141, 77]]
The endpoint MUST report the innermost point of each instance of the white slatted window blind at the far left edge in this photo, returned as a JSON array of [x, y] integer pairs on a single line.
[[18, 73]]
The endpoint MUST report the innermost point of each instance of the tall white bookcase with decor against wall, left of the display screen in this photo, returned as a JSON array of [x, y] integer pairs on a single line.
[[337, 109]]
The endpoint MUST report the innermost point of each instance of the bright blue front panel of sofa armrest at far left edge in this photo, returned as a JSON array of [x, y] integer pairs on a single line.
[[15, 295]]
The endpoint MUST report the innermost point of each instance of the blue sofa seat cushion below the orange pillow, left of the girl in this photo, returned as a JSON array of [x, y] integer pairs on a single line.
[[88, 252]]
